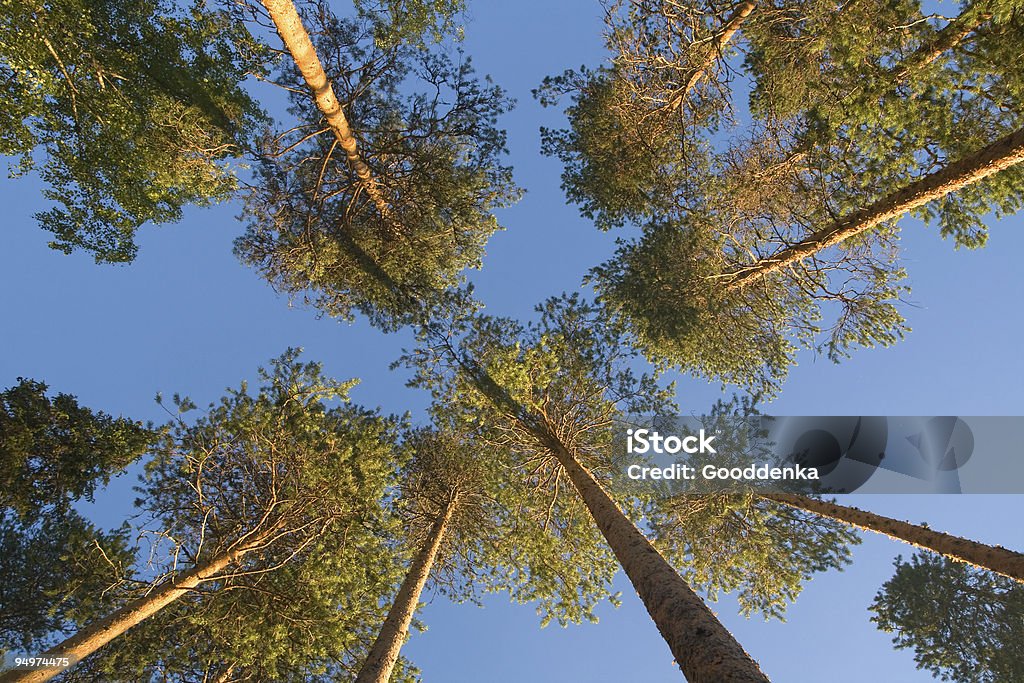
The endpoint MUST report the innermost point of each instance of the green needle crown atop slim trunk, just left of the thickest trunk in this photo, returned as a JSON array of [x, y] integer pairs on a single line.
[[505, 535]]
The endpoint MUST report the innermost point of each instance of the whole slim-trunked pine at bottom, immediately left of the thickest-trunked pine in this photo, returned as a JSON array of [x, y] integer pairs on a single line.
[[474, 529]]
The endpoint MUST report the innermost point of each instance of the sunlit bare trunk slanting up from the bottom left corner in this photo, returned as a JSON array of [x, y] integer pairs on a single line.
[[100, 633]]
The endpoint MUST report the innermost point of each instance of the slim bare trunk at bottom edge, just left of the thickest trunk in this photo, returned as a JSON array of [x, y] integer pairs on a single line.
[[385, 654]]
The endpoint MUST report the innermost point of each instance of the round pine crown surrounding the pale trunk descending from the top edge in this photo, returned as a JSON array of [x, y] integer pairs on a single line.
[[426, 129]]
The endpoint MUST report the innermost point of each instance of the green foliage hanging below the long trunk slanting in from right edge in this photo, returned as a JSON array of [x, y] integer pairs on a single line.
[[664, 289]]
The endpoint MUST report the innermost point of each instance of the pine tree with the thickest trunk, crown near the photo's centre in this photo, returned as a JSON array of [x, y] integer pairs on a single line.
[[552, 393]]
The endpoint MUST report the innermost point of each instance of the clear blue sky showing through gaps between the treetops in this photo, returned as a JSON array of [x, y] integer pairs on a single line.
[[188, 318]]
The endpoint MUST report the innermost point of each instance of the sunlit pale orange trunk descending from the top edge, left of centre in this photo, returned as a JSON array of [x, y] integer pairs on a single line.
[[296, 39]]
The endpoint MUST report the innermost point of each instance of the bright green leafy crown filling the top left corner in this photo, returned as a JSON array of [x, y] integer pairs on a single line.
[[133, 111]]
